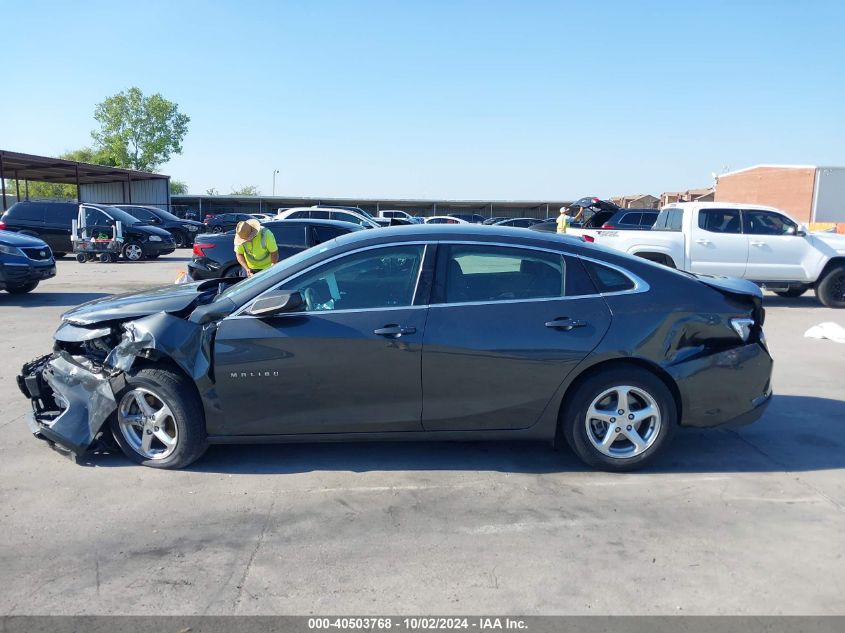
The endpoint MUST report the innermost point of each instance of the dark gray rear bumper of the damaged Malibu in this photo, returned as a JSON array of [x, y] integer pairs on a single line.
[[732, 387]]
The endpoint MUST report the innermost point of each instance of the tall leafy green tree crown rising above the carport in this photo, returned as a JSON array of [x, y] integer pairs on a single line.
[[139, 132]]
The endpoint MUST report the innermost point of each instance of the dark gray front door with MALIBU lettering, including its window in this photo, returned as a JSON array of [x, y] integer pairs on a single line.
[[349, 361]]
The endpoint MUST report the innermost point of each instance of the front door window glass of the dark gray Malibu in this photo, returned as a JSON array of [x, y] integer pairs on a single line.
[[375, 278]]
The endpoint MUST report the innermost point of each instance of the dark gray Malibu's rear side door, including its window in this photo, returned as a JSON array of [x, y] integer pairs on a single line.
[[505, 327]]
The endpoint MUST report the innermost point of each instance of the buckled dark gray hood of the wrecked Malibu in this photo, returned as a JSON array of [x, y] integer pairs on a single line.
[[125, 307]]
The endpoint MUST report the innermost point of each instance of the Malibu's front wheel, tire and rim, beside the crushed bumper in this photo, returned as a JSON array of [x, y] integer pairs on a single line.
[[171, 397]]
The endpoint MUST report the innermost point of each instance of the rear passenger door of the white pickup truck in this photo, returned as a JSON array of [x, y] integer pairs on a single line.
[[717, 245]]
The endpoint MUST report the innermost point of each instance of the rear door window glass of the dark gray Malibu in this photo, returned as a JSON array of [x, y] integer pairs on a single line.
[[482, 273]]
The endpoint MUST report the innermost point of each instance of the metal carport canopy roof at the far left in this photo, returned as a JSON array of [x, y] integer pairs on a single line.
[[30, 167]]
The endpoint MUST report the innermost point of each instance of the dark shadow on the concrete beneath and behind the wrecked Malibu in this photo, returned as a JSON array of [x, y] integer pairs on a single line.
[[796, 434]]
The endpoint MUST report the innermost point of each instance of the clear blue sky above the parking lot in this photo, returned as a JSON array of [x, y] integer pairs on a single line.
[[501, 100]]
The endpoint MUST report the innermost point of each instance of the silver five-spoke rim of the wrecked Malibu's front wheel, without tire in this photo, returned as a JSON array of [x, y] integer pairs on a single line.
[[147, 424]]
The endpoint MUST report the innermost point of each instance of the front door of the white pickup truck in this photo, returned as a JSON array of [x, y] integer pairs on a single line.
[[775, 252]]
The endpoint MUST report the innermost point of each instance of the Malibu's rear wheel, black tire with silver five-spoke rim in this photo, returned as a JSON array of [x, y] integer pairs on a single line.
[[600, 394]]
